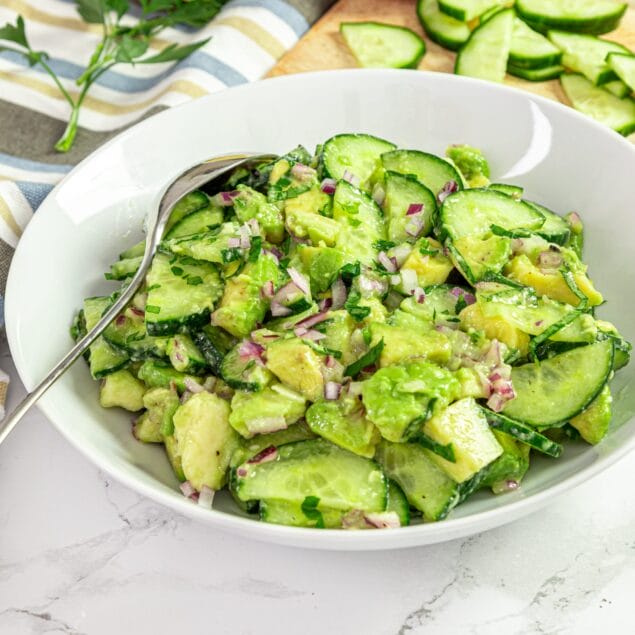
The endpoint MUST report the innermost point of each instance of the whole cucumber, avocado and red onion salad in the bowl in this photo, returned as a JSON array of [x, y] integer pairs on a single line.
[[358, 337]]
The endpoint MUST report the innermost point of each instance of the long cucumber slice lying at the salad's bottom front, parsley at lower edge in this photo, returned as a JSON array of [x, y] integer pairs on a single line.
[[340, 479]]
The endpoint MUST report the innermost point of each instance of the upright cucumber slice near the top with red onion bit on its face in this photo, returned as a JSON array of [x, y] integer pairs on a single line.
[[402, 193]]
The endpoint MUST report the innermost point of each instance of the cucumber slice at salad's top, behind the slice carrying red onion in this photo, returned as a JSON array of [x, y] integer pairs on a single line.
[[428, 169]]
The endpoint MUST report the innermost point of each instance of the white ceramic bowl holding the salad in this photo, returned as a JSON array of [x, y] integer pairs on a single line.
[[563, 160]]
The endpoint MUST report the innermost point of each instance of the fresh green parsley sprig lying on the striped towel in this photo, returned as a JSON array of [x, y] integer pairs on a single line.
[[120, 43]]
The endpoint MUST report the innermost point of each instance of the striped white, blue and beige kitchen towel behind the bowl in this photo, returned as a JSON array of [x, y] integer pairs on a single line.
[[247, 37]]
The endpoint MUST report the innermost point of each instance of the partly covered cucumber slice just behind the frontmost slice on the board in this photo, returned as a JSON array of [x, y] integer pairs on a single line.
[[586, 54]]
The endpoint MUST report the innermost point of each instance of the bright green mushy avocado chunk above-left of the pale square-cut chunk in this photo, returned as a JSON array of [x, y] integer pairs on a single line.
[[397, 396]]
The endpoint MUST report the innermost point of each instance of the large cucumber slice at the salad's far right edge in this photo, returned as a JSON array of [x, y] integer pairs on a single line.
[[551, 392]]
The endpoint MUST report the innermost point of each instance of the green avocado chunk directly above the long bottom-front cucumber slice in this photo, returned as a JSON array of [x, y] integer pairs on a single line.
[[345, 425]]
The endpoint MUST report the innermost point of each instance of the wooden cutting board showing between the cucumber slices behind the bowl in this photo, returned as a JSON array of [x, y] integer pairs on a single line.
[[323, 48]]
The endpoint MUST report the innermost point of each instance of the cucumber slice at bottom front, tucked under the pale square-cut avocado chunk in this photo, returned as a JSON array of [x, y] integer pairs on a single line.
[[426, 486]]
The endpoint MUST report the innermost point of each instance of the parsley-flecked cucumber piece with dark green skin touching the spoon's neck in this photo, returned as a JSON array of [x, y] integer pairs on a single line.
[[181, 293]]
